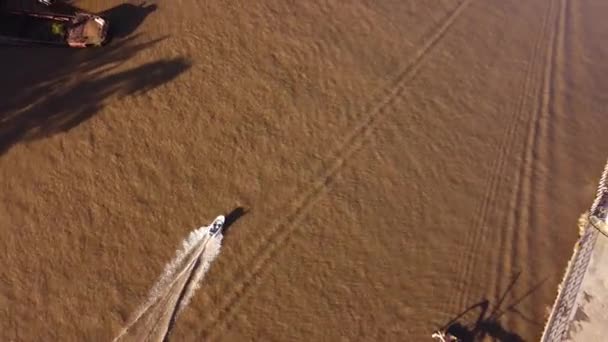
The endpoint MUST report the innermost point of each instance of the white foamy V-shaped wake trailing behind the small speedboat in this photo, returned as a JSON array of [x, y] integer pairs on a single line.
[[177, 284]]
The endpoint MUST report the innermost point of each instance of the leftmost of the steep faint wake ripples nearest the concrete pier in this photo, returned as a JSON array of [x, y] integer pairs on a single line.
[[477, 235]]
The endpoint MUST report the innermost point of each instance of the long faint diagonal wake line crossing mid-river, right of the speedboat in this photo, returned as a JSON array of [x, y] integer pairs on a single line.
[[279, 235]]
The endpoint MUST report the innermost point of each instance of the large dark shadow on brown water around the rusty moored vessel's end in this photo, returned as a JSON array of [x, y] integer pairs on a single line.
[[45, 90]]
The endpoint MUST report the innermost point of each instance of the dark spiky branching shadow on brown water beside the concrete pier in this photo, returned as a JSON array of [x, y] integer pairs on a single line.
[[487, 324]]
